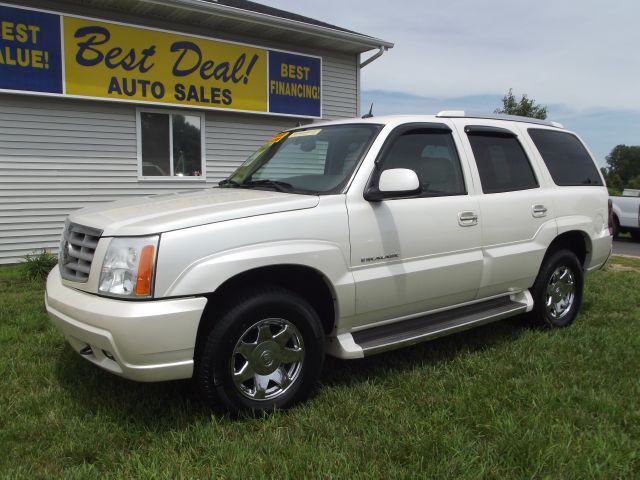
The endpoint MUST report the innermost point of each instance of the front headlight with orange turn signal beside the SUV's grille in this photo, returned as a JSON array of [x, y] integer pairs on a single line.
[[128, 267]]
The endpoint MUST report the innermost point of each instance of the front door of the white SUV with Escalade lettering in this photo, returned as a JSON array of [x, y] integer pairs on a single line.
[[416, 253]]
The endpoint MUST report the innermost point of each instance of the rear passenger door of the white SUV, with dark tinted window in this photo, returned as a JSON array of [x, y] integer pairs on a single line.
[[518, 222]]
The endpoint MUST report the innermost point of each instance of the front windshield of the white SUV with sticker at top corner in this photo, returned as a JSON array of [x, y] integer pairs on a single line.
[[318, 160]]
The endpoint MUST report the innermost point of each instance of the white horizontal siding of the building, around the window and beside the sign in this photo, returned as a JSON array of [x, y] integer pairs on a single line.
[[58, 155]]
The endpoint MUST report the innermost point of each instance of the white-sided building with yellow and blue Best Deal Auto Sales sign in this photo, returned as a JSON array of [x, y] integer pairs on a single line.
[[101, 100]]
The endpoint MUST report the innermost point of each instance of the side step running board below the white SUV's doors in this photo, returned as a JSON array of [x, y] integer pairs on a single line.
[[416, 330]]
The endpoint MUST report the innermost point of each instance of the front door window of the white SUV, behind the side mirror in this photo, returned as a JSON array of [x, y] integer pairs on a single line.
[[433, 156]]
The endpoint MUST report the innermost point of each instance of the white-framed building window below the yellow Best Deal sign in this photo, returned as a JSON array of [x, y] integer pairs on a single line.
[[170, 145]]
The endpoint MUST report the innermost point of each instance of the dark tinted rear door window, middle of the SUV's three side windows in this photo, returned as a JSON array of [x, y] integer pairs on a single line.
[[502, 163]]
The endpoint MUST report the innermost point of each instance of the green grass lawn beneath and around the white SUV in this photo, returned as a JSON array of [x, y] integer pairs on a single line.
[[502, 401]]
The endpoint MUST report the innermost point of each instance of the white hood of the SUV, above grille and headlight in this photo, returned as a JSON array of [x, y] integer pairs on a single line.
[[174, 211]]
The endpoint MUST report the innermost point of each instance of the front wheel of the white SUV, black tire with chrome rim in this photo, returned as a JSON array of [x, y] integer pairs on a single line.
[[265, 352]]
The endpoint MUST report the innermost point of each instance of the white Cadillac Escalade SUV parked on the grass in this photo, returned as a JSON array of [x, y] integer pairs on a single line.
[[347, 238]]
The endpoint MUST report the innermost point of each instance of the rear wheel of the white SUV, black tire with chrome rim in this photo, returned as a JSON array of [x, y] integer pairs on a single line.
[[557, 291]]
